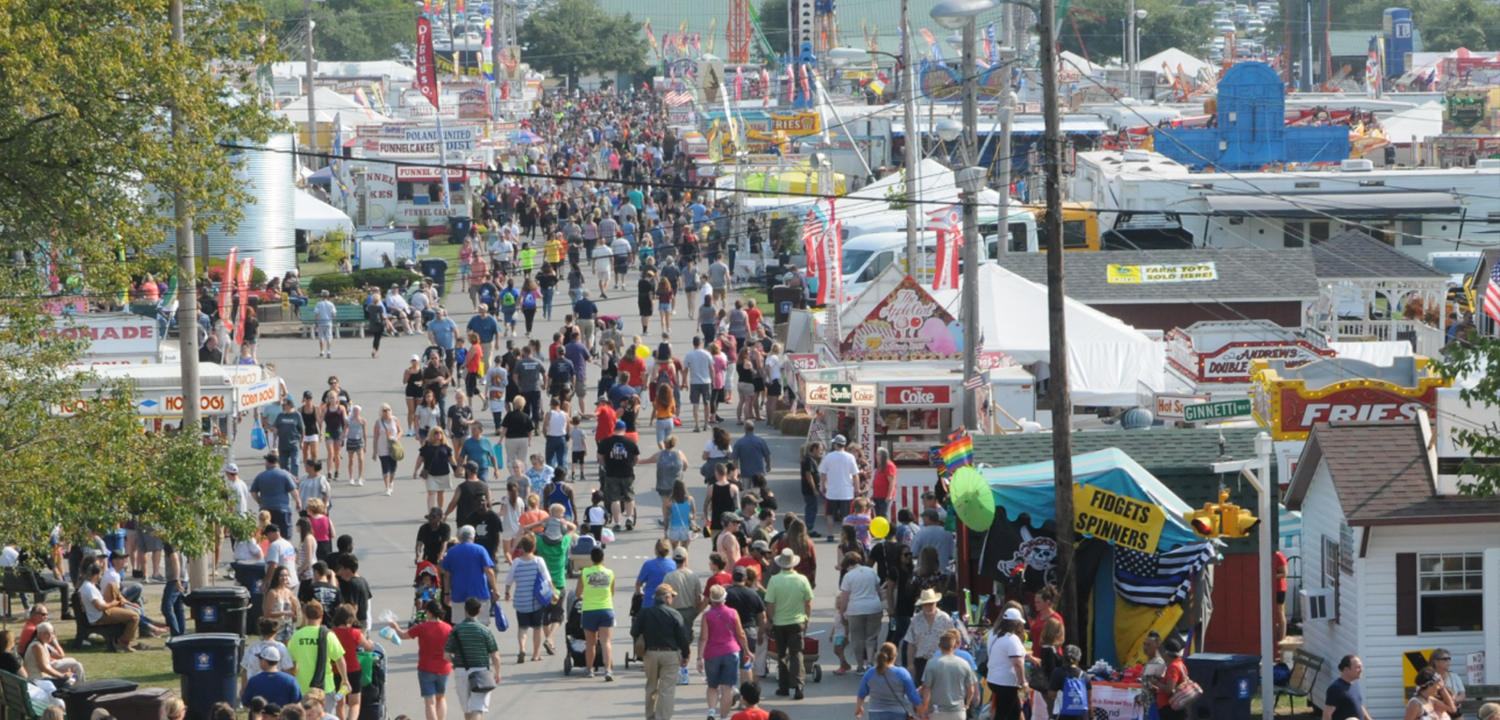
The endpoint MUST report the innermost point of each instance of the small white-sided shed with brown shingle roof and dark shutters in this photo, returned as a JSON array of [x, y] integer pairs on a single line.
[[1400, 568]]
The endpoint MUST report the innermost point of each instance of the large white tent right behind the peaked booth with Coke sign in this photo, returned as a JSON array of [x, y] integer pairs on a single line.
[[1109, 362]]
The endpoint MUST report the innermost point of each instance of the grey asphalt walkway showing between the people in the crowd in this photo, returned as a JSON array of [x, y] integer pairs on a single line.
[[385, 535]]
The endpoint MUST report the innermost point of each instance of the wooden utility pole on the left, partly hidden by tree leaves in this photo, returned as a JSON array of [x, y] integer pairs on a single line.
[[187, 301]]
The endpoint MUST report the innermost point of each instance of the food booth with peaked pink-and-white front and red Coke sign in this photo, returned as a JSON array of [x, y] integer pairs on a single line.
[[893, 380]]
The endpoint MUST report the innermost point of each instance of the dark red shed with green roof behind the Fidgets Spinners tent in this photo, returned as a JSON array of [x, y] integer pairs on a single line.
[[1183, 461]]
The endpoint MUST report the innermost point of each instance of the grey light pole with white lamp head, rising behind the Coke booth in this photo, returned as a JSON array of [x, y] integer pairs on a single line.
[[953, 16]]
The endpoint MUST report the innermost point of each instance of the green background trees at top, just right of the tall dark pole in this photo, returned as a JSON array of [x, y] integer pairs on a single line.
[[1168, 25]]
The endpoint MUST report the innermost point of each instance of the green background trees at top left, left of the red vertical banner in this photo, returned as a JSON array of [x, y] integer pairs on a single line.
[[347, 31]]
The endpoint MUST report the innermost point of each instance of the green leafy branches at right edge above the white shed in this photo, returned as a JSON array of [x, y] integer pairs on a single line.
[[1478, 361]]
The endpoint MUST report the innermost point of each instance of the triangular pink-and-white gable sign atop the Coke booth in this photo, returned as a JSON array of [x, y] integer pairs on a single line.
[[908, 325]]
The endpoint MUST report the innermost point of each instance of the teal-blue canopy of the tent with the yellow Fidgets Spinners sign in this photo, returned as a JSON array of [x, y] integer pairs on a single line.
[[1030, 490]]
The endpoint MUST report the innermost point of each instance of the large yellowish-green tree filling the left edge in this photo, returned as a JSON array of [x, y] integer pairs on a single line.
[[85, 160]]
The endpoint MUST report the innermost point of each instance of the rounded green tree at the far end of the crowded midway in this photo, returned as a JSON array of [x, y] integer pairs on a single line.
[[577, 38]]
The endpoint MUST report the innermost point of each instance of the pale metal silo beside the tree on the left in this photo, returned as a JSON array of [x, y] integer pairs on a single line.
[[268, 226]]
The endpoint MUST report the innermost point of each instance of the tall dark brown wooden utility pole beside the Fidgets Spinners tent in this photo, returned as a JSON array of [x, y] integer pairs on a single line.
[[1057, 326]]
